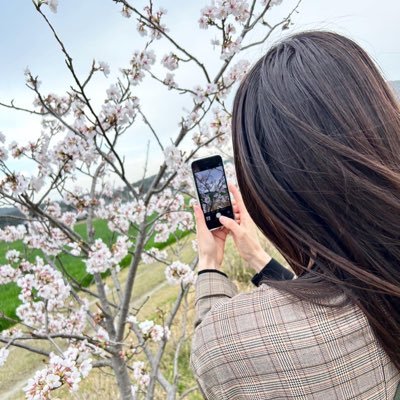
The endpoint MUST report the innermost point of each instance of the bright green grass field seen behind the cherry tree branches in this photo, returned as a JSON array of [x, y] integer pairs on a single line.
[[74, 266]]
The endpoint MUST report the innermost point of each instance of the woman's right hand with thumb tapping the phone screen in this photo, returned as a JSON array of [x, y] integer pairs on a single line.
[[244, 233]]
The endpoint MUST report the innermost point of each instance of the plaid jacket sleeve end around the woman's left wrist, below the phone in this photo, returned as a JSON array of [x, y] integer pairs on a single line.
[[211, 288]]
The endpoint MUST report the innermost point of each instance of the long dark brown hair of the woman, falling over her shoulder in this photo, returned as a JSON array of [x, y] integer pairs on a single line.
[[316, 135]]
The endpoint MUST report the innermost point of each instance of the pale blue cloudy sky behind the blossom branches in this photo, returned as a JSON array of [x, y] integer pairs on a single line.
[[95, 29]]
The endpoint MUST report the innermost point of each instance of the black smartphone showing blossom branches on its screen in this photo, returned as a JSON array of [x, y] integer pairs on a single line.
[[212, 190]]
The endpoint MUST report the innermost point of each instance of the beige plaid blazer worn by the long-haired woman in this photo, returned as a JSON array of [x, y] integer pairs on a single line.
[[267, 344]]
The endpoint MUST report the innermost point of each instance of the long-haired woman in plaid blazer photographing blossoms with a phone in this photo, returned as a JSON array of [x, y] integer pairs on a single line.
[[316, 137]]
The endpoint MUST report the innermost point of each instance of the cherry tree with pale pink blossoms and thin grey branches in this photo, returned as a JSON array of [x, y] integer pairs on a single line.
[[86, 326]]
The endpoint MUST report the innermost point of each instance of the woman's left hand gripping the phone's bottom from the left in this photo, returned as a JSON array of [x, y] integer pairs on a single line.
[[211, 244]]
